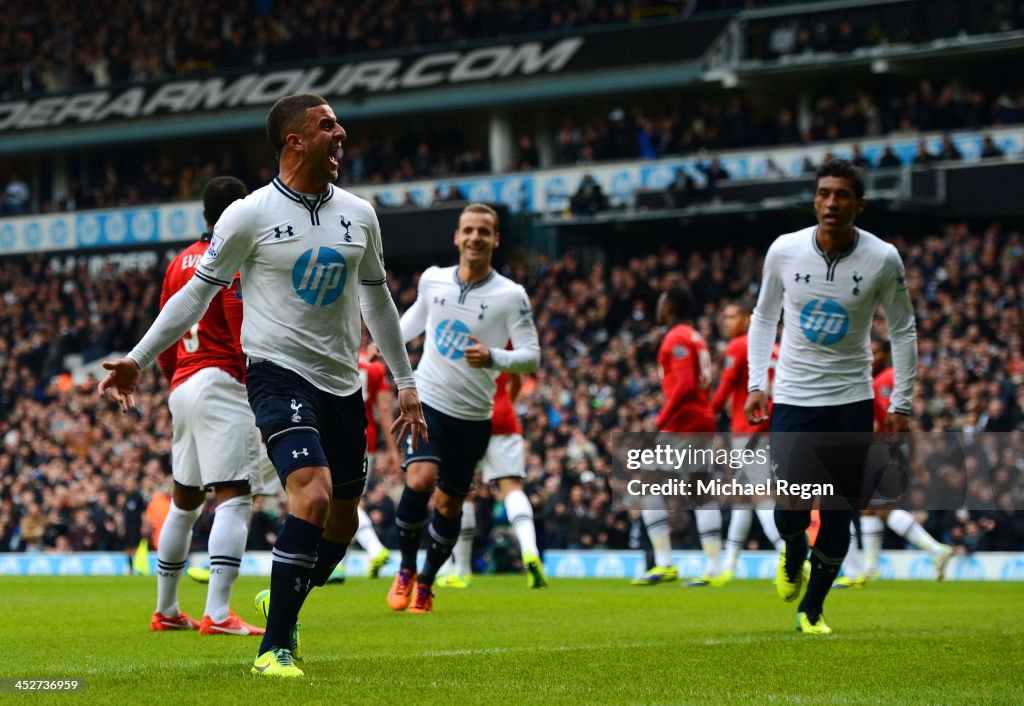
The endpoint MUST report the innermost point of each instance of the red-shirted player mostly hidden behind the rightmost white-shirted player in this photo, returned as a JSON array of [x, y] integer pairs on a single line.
[[858, 569]]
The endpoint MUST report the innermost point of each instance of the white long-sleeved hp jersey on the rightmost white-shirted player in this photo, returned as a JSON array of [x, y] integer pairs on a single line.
[[828, 308]]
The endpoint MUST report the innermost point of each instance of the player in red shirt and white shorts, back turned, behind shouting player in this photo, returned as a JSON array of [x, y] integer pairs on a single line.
[[216, 441]]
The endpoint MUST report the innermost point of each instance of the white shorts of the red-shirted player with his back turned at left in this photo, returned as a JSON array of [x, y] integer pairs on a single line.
[[216, 435]]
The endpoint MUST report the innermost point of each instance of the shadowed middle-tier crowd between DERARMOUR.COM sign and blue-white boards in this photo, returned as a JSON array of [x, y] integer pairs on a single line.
[[637, 133]]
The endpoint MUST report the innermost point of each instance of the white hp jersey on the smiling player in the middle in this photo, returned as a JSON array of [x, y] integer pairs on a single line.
[[450, 311]]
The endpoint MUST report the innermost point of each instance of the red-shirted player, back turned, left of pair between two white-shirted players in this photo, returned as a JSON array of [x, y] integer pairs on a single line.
[[685, 365]]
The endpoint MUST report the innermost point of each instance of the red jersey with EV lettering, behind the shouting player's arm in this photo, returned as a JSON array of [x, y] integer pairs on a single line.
[[214, 343]]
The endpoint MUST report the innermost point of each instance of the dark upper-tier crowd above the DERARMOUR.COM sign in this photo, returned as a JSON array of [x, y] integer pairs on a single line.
[[55, 47]]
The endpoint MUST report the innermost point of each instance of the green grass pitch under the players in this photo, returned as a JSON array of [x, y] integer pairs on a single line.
[[581, 642]]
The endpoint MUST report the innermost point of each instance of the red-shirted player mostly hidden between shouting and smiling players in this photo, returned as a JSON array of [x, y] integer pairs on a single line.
[[378, 400]]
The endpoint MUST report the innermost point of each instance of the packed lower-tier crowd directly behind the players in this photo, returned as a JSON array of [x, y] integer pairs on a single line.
[[75, 475]]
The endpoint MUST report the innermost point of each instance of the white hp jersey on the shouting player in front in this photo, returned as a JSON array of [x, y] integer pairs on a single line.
[[303, 260]]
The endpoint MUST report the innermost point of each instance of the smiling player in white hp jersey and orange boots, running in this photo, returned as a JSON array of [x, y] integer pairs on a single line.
[[470, 313]]
